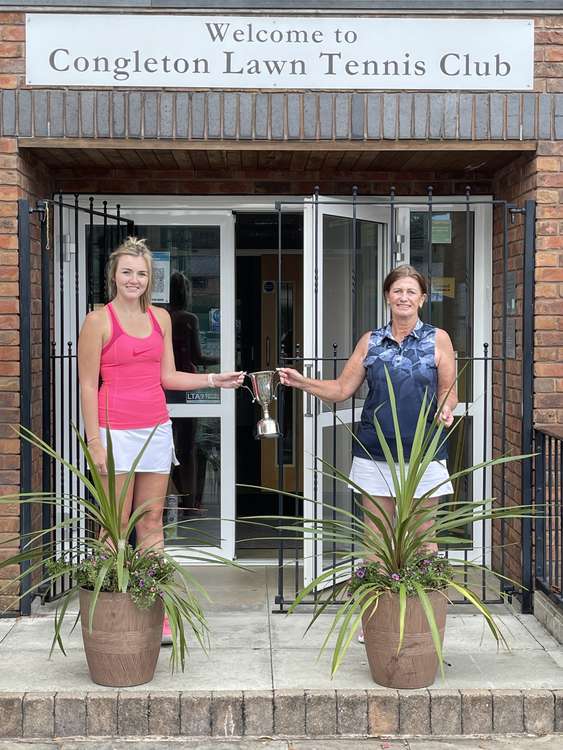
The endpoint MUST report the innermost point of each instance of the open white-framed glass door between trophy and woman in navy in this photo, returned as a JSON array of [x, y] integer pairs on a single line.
[[350, 264]]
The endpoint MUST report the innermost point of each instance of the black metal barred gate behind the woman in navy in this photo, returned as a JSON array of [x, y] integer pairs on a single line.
[[493, 366]]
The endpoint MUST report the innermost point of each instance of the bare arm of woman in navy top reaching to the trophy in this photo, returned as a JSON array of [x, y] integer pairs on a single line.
[[348, 382]]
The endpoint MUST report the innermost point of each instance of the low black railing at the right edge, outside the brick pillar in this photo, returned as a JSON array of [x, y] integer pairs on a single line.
[[548, 498]]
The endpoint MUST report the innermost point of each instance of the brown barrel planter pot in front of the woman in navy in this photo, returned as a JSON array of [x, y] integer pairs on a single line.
[[417, 663]]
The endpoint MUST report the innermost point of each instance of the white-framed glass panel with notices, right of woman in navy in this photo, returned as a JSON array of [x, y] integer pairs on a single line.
[[457, 264]]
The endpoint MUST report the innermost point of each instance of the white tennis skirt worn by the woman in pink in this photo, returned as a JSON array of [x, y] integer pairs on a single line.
[[159, 454]]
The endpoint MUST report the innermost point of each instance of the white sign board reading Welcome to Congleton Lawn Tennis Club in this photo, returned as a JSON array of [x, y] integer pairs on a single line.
[[278, 52]]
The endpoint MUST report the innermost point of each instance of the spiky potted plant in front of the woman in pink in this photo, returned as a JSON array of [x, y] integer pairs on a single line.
[[123, 592]]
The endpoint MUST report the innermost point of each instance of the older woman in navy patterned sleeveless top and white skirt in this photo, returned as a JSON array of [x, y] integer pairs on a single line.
[[420, 360]]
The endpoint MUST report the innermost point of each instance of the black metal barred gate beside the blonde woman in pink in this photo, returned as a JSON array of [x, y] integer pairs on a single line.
[[69, 233]]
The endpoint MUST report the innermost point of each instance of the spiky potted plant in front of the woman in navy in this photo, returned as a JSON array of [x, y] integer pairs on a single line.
[[393, 588]]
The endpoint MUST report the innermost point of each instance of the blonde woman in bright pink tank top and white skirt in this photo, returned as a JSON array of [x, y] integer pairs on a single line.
[[128, 344]]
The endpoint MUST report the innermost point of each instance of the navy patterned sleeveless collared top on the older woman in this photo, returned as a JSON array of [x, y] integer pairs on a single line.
[[413, 372]]
